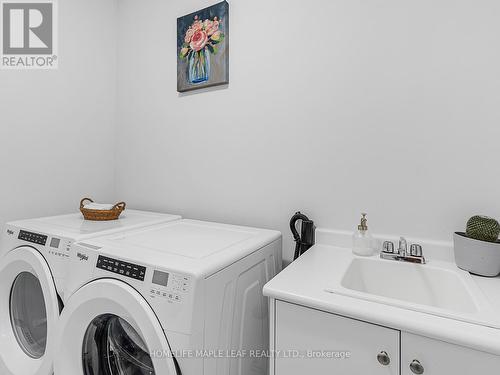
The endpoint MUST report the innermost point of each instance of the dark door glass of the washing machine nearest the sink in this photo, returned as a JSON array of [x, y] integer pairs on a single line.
[[113, 347]]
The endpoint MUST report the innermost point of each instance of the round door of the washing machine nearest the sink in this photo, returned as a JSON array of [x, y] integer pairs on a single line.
[[108, 328]]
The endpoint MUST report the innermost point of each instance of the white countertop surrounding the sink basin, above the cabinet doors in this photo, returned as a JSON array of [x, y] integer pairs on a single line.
[[305, 280]]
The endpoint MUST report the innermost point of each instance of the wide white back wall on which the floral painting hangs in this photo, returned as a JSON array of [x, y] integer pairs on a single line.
[[334, 107]]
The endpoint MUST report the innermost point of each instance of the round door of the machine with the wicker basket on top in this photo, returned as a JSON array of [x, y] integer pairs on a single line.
[[29, 311]]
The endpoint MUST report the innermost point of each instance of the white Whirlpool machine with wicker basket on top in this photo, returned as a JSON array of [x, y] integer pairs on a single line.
[[34, 261]]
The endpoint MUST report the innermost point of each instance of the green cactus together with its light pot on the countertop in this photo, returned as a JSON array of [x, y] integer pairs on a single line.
[[478, 249]]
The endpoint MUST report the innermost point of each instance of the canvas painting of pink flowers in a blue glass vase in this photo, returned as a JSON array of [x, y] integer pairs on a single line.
[[203, 48]]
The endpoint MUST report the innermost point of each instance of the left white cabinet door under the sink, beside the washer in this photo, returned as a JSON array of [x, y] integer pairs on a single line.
[[309, 341]]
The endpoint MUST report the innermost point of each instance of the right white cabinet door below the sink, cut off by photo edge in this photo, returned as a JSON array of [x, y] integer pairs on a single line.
[[421, 355]]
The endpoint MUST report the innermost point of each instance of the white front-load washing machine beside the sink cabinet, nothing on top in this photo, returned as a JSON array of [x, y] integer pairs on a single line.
[[182, 298]]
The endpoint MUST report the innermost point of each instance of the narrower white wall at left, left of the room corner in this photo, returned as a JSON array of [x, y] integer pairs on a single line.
[[57, 127]]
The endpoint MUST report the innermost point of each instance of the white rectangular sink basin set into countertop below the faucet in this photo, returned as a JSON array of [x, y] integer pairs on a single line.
[[439, 289]]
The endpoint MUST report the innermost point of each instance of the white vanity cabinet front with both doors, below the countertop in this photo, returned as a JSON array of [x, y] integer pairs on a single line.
[[305, 341]]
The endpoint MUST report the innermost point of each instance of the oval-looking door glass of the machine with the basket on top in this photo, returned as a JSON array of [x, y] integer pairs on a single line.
[[28, 315]]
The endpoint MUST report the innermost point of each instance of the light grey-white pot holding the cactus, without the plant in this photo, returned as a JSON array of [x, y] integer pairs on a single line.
[[478, 257]]
